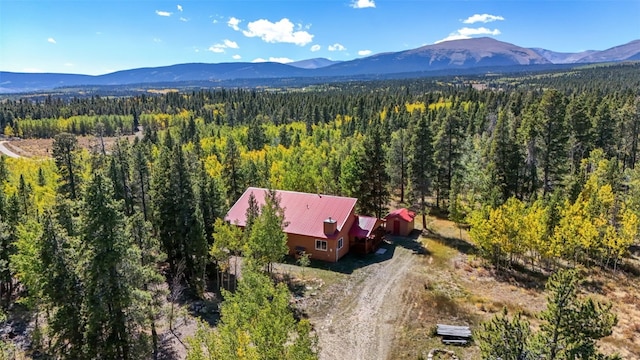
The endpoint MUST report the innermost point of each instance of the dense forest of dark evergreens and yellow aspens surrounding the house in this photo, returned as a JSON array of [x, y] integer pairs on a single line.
[[95, 244]]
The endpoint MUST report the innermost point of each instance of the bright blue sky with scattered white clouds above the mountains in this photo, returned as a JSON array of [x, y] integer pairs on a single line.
[[97, 37]]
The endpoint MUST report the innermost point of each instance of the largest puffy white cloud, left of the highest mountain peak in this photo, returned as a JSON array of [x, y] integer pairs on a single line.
[[278, 32]]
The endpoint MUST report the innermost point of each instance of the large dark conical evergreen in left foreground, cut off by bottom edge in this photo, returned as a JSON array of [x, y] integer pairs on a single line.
[[114, 278]]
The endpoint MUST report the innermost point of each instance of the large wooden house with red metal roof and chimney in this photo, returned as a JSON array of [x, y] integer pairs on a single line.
[[324, 226]]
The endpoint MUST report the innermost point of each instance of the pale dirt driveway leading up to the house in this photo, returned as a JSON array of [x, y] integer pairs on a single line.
[[358, 318]]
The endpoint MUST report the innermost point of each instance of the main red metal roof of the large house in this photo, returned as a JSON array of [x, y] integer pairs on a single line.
[[304, 213]]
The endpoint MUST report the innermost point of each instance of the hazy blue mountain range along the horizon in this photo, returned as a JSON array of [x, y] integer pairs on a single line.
[[476, 55]]
